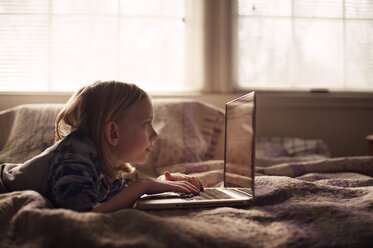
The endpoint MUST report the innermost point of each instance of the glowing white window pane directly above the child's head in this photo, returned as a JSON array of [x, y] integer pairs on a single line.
[[84, 49]]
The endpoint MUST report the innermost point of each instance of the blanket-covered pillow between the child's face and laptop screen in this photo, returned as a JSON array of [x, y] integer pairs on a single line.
[[189, 131]]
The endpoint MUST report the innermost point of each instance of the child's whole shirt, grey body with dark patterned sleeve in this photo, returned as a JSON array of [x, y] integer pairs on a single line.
[[68, 174]]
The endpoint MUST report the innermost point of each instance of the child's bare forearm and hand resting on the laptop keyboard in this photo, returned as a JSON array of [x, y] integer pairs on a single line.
[[128, 196]]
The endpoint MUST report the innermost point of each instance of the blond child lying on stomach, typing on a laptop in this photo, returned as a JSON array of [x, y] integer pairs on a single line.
[[104, 127]]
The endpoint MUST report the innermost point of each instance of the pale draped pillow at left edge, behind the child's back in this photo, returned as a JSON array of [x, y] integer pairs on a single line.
[[26, 131]]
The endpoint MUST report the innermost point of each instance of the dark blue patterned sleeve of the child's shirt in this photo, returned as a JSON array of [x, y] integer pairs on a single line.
[[75, 175]]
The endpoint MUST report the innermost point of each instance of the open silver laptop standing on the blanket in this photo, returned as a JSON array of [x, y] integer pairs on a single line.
[[239, 156]]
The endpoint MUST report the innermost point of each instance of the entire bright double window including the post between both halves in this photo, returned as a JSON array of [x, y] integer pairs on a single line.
[[187, 45]]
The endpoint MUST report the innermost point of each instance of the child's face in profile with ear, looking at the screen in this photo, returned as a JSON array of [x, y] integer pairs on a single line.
[[135, 134]]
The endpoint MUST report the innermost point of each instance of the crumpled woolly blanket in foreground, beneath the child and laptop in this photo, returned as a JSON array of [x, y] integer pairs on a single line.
[[287, 213]]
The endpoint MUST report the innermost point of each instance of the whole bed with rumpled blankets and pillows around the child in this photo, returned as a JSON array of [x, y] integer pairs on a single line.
[[304, 198]]
